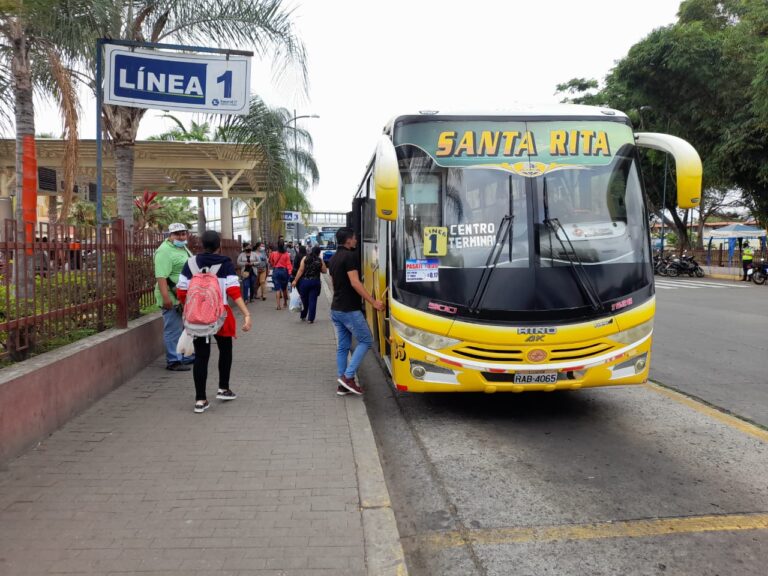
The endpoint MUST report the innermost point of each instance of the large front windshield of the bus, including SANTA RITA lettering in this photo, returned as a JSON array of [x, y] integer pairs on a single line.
[[535, 236]]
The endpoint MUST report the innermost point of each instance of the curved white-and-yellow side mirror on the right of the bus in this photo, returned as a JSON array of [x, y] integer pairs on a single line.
[[687, 163]]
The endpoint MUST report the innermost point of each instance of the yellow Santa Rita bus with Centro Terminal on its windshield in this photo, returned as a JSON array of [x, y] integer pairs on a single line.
[[512, 250]]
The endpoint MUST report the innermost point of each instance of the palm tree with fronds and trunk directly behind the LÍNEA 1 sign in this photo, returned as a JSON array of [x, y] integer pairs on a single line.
[[263, 24]]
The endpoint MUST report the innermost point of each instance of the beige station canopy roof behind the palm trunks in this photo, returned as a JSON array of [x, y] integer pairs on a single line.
[[171, 168]]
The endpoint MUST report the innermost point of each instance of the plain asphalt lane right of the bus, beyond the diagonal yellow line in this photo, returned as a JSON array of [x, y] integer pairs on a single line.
[[711, 341]]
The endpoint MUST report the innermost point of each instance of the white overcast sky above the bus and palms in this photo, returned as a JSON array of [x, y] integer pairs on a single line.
[[371, 60]]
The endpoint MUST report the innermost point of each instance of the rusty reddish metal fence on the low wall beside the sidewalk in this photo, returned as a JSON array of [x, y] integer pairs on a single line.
[[69, 282]]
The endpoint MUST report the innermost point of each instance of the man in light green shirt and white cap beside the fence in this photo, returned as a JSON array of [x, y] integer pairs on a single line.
[[170, 258]]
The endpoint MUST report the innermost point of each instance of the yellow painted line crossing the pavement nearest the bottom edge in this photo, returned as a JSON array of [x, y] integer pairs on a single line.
[[594, 531]]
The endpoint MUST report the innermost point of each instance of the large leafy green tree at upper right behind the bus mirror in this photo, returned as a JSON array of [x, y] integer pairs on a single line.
[[705, 79]]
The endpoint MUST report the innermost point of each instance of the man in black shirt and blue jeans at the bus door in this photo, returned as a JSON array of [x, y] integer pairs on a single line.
[[346, 313]]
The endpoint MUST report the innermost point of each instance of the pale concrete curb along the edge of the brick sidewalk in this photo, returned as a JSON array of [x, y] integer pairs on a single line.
[[383, 551]]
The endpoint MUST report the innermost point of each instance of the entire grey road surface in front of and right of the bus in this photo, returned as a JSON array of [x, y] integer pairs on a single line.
[[610, 481]]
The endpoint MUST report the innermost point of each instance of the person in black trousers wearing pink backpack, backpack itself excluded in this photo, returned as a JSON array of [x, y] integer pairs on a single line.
[[230, 287]]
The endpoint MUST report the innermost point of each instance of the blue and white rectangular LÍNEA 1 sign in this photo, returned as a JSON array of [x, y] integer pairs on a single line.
[[209, 83]]
